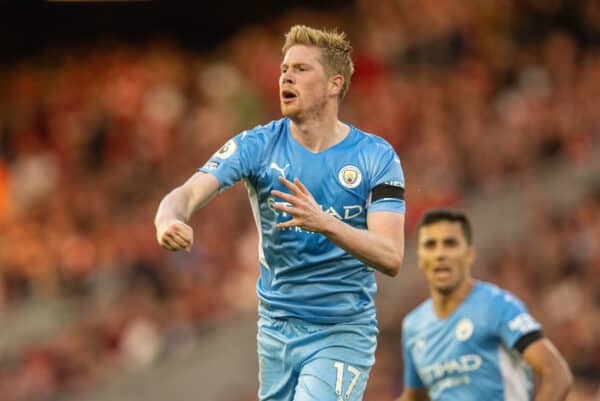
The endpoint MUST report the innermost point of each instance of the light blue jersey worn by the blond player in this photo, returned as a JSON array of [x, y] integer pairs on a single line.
[[303, 274]]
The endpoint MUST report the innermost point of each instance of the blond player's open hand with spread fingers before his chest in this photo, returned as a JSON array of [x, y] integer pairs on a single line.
[[301, 205]]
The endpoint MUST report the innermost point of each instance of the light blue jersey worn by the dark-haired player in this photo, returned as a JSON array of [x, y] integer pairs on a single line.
[[469, 356]]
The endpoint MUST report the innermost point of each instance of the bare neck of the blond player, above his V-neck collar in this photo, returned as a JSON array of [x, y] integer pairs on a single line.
[[318, 134]]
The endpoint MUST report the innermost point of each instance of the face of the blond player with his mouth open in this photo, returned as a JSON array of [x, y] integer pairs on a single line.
[[302, 83]]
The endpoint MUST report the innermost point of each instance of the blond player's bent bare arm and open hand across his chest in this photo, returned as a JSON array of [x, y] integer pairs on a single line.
[[381, 246]]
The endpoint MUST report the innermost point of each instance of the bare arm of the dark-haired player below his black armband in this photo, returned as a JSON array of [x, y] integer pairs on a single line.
[[552, 370]]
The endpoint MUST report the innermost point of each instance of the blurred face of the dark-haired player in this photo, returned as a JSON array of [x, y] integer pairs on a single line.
[[444, 256]]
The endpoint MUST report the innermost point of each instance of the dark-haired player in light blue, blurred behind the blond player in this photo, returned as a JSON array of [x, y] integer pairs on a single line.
[[472, 341]]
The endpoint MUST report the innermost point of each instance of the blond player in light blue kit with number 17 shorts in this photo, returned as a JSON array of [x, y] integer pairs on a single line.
[[328, 200]]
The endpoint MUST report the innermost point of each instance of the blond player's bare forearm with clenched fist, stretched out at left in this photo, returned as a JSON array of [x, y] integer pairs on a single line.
[[176, 208]]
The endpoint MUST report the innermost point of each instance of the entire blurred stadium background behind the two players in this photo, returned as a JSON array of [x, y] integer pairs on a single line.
[[493, 106]]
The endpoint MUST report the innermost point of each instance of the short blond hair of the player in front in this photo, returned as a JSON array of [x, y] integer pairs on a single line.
[[335, 50]]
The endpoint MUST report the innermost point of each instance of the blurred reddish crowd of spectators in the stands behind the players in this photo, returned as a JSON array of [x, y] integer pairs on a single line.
[[469, 94]]
